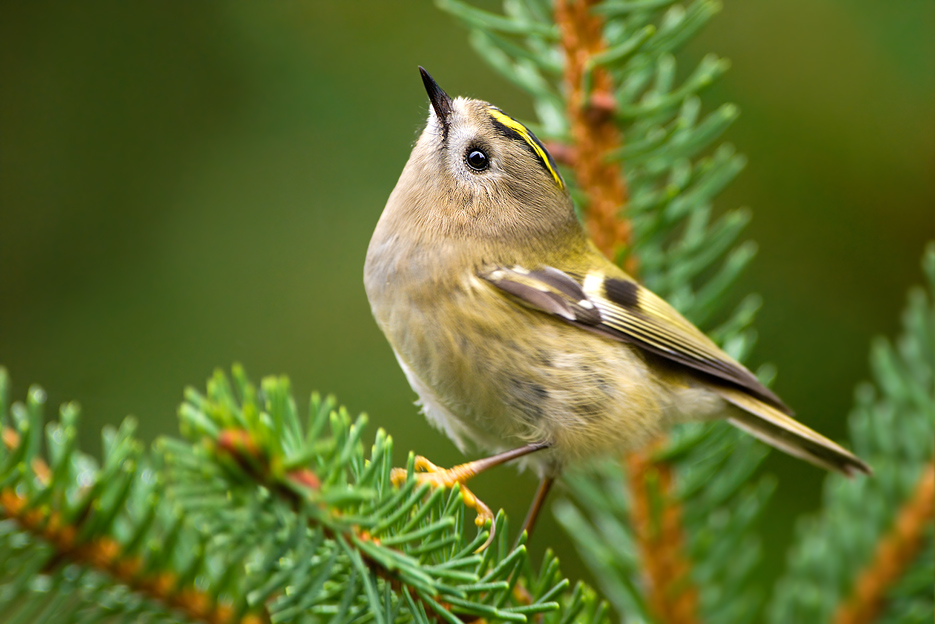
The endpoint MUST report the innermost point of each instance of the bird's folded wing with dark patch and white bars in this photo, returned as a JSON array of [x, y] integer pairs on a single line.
[[618, 307]]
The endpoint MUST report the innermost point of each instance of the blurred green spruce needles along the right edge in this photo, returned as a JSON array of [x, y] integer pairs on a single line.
[[892, 426]]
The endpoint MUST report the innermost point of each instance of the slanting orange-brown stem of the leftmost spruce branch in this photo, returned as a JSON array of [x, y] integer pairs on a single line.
[[105, 555]]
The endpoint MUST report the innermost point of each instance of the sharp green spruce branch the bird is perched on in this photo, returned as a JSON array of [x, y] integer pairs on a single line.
[[396, 548]]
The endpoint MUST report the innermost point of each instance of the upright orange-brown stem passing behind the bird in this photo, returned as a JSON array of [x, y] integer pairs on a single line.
[[657, 516]]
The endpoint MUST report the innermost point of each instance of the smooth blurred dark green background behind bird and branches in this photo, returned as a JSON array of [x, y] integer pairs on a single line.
[[183, 185]]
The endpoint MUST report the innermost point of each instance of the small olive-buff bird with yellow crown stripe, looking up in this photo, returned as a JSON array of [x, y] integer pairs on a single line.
[[520, 336]]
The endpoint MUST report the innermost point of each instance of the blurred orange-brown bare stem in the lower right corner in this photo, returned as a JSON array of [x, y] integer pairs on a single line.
[[895, 552]]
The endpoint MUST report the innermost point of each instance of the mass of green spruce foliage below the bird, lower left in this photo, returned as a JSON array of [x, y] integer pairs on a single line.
[[255, 514]]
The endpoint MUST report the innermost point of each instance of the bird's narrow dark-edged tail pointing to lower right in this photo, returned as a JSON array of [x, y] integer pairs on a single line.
[[777, 429]]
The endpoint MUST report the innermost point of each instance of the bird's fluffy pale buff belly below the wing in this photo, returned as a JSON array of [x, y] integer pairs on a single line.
[[537, 379]]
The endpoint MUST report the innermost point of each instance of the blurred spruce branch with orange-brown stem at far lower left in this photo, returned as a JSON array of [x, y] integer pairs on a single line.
[[79, 533]]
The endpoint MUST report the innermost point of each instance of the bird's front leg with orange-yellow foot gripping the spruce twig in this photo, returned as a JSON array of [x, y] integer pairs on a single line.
[[460, 474]]
